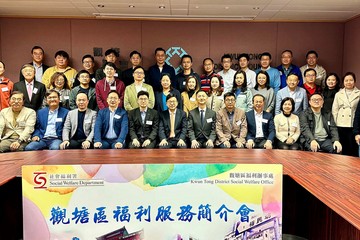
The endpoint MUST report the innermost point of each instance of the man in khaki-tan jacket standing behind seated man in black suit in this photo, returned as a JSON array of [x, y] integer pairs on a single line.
[[131, 91]]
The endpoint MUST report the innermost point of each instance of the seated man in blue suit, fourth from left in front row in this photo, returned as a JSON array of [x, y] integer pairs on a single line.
[[111, 126]]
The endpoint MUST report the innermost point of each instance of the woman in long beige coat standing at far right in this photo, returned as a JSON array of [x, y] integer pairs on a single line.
[[343, 110]]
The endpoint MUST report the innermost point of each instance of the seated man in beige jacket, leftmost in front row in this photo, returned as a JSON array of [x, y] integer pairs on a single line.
[[16, 124]]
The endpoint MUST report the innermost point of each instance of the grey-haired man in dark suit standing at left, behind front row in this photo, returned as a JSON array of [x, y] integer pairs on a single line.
[[34, 91]]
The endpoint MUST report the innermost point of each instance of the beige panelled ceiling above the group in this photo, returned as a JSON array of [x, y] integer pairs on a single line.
[[238, 10]]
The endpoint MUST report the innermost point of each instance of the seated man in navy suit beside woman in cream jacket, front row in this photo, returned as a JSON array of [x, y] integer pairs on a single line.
[[259, 137]]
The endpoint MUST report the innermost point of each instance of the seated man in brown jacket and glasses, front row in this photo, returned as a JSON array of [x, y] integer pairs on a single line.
[[231, 125]]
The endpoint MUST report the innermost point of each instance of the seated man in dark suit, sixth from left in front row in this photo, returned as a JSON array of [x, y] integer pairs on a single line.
[[173, 125]]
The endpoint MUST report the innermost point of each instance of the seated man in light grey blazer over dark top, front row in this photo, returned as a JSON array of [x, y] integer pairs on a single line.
[[78, 131]]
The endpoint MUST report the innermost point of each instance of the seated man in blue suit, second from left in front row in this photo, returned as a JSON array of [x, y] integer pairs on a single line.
[[49, 124]]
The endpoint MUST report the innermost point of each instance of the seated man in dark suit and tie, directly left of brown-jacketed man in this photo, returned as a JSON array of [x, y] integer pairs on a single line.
[[201, 123]]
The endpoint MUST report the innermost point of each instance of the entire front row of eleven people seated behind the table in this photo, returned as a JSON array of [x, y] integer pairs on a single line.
[[55, 127]]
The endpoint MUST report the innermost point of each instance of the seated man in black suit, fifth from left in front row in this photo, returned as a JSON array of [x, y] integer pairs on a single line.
[[143, 123]]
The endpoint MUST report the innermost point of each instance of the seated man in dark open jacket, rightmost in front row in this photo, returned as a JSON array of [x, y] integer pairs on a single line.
[[318, 129]]
